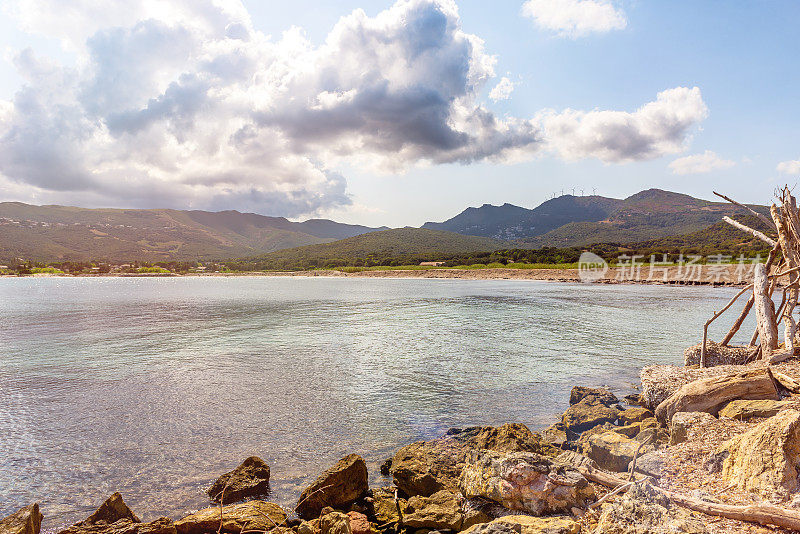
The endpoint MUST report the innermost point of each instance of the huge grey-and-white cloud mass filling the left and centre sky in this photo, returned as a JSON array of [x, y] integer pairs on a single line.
[[183, 103]]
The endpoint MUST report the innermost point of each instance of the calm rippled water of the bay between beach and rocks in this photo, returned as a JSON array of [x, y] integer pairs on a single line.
[[155, 386]]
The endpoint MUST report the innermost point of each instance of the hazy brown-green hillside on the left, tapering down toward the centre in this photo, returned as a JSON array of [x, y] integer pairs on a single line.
[[61, 233]]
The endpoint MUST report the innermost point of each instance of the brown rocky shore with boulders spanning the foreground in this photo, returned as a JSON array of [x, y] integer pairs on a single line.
[[696, 451]]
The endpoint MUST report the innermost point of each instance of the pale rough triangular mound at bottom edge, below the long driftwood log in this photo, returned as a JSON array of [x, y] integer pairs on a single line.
[[645, 510]]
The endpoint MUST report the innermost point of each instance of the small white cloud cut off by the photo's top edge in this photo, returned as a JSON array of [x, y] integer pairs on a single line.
[[575, 18]]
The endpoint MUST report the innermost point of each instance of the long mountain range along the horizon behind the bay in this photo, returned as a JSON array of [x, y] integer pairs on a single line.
[[59, 233]]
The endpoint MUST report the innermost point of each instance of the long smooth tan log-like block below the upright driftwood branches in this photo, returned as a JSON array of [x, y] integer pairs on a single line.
[[711, 394]]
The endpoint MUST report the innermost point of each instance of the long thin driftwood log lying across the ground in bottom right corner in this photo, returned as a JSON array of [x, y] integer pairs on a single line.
[[763, 513]]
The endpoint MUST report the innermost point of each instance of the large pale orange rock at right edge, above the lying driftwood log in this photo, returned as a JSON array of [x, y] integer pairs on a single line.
[[765, 459]]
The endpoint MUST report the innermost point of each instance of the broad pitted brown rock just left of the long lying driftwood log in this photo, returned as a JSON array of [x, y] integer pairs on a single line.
[[524, 481]]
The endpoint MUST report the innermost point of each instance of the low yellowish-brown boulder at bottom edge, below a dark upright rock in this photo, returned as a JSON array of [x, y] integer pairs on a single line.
[[255, 515]]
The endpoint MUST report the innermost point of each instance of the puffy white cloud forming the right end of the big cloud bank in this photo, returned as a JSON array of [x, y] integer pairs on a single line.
[[655, 129]]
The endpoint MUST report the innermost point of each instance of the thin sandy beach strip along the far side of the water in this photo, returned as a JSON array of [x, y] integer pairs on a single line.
[[721, 276]]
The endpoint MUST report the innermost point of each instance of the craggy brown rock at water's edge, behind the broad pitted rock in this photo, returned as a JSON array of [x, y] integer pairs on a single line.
[[425, 467]]
